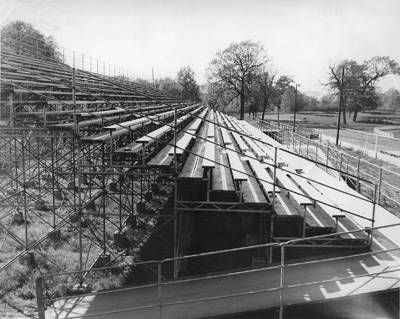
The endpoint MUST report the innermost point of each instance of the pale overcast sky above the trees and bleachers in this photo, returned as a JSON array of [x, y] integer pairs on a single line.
[[302, 37]]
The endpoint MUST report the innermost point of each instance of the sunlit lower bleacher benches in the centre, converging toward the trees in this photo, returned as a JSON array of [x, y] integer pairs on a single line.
[[224, 159]]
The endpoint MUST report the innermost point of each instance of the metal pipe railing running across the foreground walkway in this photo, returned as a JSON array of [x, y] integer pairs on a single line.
[[160, 280]]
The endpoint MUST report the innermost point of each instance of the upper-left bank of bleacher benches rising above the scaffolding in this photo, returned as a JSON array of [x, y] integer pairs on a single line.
[[43, 90]]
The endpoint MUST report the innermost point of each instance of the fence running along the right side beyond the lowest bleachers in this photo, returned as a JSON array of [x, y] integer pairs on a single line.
[[359, 173]]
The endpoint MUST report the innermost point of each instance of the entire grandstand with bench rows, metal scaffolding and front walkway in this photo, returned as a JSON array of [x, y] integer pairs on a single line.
[[101, 157]]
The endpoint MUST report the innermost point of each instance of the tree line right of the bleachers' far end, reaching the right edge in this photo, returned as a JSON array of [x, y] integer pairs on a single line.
[[241, 77]]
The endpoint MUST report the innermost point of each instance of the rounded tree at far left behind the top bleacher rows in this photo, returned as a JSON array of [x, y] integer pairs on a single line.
[[22, 38]]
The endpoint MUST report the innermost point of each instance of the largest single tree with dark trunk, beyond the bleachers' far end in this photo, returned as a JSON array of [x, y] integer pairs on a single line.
[[234, 69]]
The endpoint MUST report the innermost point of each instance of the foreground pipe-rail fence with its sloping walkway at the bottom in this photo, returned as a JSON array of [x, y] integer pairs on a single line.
[[276, 288]]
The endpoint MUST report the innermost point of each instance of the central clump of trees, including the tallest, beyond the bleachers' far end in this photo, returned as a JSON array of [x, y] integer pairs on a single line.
[[242, 77]]
